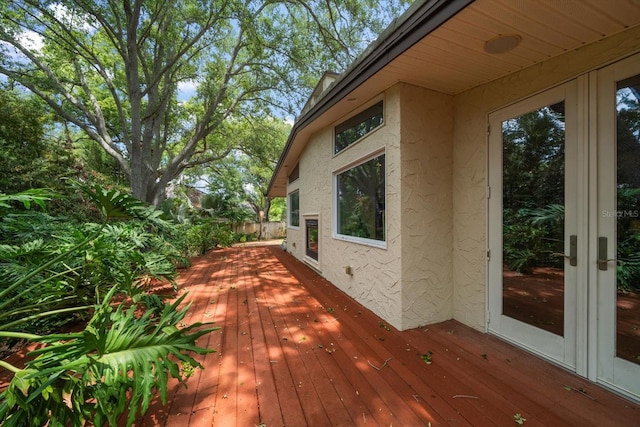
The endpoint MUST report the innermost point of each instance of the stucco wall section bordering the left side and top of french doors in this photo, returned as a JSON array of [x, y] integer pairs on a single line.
[[470, 159]]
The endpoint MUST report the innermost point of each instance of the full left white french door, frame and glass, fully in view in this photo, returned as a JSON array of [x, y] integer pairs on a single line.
[[535, 218]]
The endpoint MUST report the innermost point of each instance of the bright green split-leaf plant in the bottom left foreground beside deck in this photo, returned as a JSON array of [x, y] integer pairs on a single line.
[[116, 364]]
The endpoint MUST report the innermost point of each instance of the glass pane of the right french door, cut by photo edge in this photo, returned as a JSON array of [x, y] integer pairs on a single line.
[[628, 220]]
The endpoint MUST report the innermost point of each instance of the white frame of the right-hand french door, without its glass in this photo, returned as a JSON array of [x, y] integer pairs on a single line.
[[604, 366]]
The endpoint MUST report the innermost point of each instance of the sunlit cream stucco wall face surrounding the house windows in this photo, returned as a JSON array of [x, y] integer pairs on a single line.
[[375, 281]]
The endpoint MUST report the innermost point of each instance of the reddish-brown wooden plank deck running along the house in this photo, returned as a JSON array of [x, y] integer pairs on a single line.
[[293, 350]]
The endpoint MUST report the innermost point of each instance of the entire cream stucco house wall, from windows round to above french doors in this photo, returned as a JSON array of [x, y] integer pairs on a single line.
[[434, 264]]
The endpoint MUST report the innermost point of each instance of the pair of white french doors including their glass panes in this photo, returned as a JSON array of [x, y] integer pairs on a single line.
[[564, 225]]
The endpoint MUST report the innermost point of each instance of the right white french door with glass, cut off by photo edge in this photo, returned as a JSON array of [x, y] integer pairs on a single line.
[[615, 228]]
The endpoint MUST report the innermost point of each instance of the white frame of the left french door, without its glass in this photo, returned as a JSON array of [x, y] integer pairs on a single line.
[[564, 350]]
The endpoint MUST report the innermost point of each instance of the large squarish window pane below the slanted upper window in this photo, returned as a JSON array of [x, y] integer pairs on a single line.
[[361, 200]]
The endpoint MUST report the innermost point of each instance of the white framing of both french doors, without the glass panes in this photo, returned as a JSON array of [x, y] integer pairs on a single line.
[[588, 347]]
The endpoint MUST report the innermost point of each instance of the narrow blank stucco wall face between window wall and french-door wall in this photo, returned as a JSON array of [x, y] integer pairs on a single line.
[[427, 224]]
